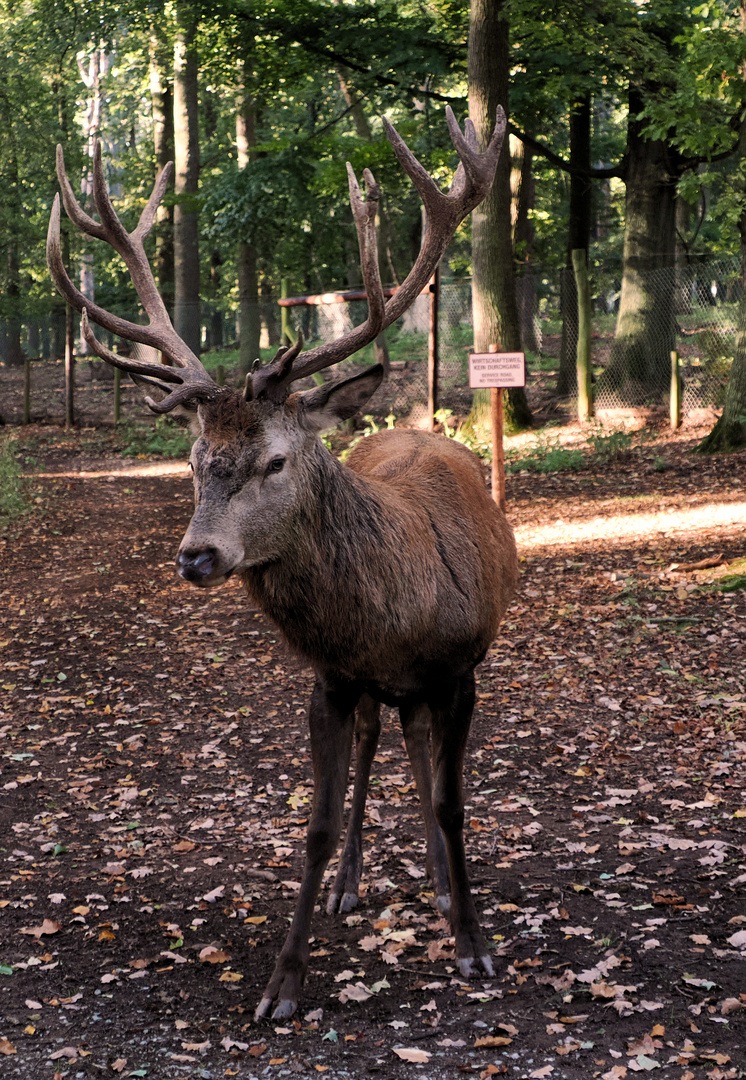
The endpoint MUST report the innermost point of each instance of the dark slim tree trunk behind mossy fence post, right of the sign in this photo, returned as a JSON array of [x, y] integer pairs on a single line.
[[579, 234]]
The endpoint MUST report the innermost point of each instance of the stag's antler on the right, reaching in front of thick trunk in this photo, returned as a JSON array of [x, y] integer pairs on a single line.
[[444, 214]]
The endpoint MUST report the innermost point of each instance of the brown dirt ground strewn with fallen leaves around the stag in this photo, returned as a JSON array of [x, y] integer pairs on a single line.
[[156, 788]]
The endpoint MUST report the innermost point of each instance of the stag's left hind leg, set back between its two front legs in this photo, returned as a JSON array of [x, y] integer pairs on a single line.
[[345, 892]]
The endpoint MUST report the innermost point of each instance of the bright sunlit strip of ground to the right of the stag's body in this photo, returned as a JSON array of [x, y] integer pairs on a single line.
[[622, 529]]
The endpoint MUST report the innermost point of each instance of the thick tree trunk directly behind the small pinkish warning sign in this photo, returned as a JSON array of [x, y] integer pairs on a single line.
[[494, 296]]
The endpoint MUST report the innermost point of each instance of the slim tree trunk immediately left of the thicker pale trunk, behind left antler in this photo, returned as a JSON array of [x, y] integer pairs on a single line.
[[162, 103]]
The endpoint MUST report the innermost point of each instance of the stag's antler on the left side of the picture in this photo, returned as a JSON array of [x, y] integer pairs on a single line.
[[194, 381]]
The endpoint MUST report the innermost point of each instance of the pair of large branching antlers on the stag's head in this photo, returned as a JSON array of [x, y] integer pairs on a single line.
[[445, 211]]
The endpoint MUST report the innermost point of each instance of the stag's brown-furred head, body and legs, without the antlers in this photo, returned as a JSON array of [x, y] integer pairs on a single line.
[[389, 575]]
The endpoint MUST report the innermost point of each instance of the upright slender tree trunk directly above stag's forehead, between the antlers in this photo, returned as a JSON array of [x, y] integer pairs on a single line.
[[250, 312]]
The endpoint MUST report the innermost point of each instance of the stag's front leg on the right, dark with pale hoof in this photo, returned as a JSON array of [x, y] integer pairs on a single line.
[[453, 711]]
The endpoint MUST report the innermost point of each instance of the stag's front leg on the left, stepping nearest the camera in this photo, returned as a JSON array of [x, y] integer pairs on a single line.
[[331, 723]]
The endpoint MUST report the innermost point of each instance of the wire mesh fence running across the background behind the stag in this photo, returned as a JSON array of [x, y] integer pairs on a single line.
[[694, 310]]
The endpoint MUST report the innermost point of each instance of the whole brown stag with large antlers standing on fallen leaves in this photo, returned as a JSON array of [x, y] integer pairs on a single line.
[[388, 575]]
